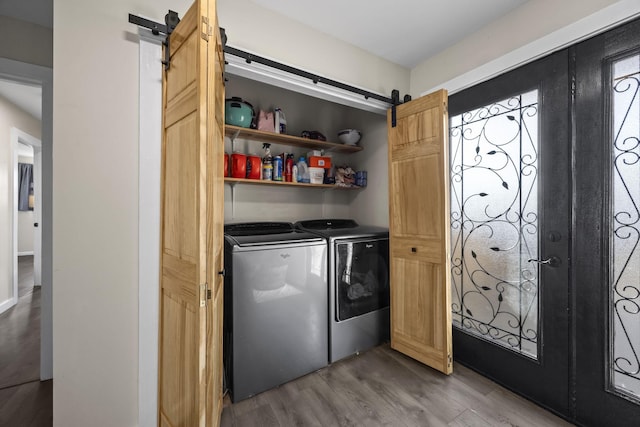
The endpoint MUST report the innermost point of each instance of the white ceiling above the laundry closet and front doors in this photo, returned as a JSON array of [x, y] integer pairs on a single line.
[[405, 32]]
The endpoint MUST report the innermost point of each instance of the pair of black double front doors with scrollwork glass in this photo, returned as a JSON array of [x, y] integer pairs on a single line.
[[552, 179]]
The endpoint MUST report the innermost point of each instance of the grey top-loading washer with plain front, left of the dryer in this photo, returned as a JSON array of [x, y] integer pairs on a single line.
[[275, 320]]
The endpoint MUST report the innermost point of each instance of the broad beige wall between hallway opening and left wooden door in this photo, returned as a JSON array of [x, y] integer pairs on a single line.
[[95, 209]]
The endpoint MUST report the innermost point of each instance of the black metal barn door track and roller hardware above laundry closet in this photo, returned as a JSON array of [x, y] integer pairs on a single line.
[[172, 20]]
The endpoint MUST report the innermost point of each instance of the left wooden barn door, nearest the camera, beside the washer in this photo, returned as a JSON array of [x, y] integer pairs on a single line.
[[190, 377]]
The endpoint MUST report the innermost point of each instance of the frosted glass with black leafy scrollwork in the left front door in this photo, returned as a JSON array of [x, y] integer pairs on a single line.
[[494, 222]]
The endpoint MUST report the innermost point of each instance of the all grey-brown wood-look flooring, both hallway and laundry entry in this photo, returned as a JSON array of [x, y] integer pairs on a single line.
[[379, 387]]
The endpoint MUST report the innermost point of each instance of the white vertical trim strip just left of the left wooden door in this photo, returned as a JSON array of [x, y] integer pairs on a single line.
[[149, 180]]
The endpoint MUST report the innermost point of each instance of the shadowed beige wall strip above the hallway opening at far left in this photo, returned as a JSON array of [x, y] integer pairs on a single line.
[[26, 42]]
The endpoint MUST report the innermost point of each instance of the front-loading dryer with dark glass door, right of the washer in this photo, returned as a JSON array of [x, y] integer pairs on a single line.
[[358, 284]]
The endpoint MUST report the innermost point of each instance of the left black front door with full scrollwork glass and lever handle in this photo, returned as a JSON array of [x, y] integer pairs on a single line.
[[510, 218]]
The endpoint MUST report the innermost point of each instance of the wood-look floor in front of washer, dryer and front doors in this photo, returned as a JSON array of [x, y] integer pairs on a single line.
[[382, 387]]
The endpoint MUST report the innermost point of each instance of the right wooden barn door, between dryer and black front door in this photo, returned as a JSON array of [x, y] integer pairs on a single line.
[[419, 230]]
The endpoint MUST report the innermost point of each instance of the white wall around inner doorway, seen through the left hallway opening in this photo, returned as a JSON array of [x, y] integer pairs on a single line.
[[10, 116]]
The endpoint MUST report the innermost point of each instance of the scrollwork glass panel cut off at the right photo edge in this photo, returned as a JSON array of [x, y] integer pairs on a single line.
[[625, 226]]
